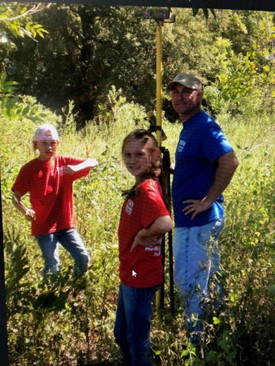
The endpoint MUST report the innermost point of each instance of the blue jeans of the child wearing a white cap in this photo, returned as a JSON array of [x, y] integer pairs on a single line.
[[72, 242]]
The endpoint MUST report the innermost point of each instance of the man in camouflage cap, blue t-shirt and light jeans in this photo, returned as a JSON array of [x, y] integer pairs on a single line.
[[204, 166]]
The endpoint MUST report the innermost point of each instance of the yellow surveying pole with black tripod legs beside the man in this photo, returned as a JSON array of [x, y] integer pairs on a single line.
[[161, 16]]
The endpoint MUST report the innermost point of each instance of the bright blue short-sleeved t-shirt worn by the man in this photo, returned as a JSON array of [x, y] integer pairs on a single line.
[[201, 143]]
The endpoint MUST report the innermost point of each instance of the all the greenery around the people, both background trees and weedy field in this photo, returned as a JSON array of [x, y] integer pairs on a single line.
[[98, 65]]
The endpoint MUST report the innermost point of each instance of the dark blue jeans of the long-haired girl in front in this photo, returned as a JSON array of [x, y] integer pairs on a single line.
[[133, 323]]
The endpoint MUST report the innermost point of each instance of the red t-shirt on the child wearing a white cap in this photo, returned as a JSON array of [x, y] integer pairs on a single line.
[[51, 192]]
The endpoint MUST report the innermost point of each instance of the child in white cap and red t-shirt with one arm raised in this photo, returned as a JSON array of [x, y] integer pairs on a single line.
[[49, 181]]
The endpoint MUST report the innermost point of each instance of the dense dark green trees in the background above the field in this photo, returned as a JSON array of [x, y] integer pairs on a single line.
[[82, 51]]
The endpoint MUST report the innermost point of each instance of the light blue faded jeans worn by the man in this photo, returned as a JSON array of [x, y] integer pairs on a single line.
[[197, 259]]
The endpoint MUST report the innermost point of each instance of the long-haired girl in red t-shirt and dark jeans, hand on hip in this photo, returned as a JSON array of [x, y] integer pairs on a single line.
[[144, 219]]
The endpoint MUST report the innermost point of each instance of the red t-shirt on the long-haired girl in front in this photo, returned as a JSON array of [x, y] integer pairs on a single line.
[[143, 267]]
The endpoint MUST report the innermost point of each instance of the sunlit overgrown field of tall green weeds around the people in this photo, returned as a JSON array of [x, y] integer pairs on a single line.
[[72, 323]]
